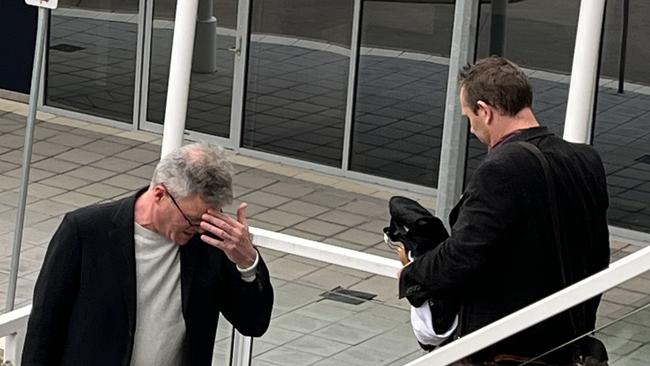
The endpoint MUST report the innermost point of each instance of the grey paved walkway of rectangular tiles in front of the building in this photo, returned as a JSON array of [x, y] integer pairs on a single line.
[[76, 164]]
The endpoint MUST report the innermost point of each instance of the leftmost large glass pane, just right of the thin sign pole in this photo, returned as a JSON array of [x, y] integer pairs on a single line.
[[91, 58]]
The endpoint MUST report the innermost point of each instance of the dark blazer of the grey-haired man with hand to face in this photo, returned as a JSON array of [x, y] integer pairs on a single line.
[[85, 297]]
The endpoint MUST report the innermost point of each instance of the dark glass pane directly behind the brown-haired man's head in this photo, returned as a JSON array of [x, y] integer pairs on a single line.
[[540, 37]]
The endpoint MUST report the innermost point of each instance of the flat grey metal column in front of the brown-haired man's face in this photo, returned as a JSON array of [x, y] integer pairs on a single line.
[[454, 133]]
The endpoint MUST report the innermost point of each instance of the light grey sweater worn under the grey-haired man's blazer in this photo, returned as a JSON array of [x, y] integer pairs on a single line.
[[159, 322]]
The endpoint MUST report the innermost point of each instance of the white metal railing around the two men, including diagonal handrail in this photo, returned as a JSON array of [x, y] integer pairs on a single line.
[[13, 324]]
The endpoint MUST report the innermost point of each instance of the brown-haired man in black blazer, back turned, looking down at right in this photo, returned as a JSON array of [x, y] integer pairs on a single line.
[[513, 242]]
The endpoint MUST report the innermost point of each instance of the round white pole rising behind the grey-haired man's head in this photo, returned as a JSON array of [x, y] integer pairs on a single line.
[[180, 67]]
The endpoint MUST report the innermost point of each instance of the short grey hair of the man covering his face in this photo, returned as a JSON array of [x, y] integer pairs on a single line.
[[196, 169]]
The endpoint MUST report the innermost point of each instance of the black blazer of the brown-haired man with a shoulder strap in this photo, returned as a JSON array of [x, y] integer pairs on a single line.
[[501, 255]]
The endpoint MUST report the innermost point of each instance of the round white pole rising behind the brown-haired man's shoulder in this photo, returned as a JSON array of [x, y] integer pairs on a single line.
[[578, 120]]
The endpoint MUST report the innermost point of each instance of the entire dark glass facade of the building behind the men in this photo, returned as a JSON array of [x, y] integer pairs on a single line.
[[297, 80]]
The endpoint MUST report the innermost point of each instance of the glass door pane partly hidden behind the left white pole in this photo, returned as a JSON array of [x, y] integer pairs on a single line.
[[210, 96]]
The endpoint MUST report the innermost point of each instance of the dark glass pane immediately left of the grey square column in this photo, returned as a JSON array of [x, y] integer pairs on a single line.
[[402, 80]]
